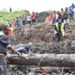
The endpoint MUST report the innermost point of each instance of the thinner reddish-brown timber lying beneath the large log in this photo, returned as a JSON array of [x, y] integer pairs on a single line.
[[51, 69]]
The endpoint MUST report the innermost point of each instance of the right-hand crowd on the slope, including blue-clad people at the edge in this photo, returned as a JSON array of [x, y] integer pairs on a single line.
[[60, 20]]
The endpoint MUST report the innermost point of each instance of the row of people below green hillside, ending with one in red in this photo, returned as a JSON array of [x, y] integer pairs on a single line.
[[23, 20]]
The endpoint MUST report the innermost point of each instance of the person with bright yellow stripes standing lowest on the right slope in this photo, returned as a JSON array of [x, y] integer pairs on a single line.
[[59, 29]]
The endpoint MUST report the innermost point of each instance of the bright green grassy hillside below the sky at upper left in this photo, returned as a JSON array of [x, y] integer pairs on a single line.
[[4, 15]]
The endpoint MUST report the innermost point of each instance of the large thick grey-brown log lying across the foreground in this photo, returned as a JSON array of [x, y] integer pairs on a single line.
[[61, 60]]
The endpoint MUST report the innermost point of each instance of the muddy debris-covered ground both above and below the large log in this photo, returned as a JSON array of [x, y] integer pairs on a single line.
[[43, 41]]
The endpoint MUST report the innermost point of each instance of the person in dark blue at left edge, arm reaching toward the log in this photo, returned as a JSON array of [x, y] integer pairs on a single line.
[[4, 46]]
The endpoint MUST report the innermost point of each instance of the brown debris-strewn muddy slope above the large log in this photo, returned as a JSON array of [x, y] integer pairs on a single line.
[[43, 39]]
